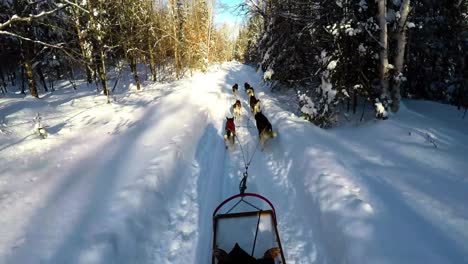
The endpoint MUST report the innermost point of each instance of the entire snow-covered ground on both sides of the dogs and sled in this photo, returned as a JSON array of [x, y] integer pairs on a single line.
[[136, 181]]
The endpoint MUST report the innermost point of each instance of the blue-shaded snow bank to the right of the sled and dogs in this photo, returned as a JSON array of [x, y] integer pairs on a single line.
[[381, 193]]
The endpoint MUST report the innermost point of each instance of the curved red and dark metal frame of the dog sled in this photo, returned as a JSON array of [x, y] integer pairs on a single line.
[[259, 212]]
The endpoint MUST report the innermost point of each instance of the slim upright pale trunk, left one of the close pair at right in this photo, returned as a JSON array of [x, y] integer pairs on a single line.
[[383, 49]]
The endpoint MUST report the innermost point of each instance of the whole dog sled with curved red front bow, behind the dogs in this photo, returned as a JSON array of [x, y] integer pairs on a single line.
[[245, 231]]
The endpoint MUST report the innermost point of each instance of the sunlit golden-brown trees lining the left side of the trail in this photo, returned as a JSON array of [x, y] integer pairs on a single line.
[[45, 41]]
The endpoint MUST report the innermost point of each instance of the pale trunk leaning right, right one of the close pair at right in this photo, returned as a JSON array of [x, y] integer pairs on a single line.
[[400, 57]]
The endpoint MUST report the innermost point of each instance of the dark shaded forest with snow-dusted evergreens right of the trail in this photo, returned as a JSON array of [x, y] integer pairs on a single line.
[[348, 53]]
